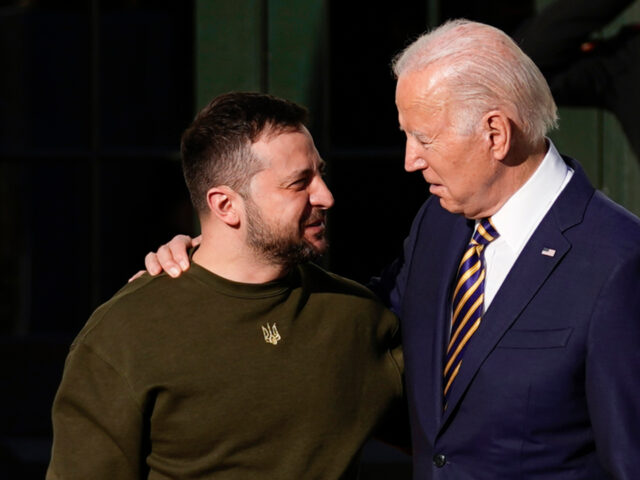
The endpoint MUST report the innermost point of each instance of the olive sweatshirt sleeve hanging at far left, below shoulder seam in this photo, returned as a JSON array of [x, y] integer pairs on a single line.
[[97, 424]]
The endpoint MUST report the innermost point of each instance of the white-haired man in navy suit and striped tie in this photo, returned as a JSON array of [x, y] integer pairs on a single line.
[[537, 375]]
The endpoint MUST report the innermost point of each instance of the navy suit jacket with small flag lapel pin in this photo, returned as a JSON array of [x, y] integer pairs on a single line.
[[549, 386]]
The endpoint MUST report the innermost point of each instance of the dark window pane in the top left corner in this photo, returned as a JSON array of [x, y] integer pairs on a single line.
[[44, 85]]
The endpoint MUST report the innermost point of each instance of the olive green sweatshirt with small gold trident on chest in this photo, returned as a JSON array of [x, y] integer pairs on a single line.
[[203, 378]]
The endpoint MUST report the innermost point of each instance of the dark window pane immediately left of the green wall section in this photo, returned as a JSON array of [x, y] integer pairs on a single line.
[[145, 75]]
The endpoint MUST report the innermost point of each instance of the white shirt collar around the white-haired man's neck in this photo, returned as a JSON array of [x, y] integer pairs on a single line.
[[522, 213]]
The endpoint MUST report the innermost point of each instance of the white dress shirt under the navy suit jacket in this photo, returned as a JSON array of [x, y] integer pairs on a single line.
[[520, 216]]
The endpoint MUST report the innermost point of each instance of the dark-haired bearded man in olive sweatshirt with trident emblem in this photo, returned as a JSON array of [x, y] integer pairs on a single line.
[[255, 363]]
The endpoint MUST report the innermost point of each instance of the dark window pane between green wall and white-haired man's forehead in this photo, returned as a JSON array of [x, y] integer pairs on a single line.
[[363, 41]]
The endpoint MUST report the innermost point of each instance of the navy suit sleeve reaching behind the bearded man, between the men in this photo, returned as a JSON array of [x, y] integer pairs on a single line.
[[391, 284]]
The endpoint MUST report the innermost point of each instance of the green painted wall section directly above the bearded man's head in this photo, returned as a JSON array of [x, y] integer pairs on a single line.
[[259, 45]]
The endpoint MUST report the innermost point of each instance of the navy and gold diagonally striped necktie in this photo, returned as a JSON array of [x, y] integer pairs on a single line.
[[467, 300]]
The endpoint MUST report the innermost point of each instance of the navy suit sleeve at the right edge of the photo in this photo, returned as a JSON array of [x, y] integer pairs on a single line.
[[613, 371]]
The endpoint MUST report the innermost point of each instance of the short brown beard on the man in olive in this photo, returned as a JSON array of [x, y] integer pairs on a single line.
[[280, 245]]
